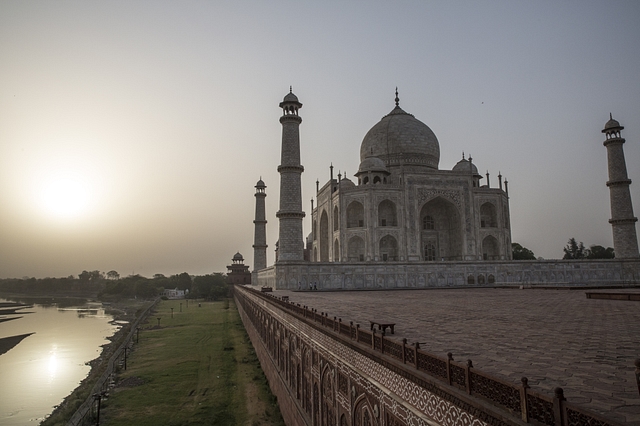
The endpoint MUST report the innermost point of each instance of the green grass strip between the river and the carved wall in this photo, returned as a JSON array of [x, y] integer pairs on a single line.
[[192, 366]]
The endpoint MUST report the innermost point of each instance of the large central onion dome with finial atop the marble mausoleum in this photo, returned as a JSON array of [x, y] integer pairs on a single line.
[[401, 139]]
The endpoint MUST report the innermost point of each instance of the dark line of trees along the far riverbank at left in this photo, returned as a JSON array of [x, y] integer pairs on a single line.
[[111, 286]]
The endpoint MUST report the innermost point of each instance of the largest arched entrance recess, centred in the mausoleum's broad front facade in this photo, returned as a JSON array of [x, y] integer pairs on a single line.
[[440, 230]]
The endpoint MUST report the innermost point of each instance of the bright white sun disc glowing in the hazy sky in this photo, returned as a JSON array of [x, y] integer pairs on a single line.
[[65, 197]]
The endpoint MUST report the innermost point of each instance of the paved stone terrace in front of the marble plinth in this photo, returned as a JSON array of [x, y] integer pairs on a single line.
[[553, 337]]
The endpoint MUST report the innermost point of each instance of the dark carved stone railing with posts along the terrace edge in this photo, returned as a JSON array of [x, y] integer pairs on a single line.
[[517, 400]]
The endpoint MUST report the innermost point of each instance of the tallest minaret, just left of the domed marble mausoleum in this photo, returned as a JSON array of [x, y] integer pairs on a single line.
[[290, 214]]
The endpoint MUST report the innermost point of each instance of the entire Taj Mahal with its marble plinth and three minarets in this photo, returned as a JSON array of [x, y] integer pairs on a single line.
[[403, 222]]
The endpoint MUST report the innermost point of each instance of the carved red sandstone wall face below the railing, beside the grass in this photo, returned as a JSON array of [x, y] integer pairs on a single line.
[[352, 384]]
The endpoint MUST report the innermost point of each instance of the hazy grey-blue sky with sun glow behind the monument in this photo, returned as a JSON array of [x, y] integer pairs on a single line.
[[132, 133]]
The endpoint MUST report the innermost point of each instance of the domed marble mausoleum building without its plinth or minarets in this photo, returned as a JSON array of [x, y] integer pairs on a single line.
[[404, 208]]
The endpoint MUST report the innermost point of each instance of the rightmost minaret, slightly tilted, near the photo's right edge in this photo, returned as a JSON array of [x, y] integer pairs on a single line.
[[625, 240]]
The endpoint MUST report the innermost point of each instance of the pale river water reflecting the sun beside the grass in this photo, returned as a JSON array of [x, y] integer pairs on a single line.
[[45, 367]]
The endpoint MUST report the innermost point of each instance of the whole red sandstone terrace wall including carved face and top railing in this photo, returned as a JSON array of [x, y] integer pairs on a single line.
[[336, 373]]
